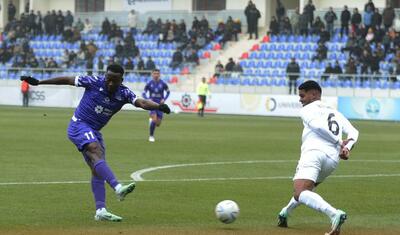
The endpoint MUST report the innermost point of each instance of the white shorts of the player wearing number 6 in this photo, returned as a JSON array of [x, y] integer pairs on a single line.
[[315, 166]]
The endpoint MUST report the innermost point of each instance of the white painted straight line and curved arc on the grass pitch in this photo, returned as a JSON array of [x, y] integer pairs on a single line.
[[137, 175]]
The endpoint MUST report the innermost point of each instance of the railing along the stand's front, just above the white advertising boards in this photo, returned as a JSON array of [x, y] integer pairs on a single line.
[[387, 84]]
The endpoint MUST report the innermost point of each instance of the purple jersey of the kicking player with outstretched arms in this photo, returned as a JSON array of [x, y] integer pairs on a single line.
[[96, 106]]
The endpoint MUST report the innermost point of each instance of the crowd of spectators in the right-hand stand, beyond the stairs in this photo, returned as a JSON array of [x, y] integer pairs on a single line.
[[371, 36]]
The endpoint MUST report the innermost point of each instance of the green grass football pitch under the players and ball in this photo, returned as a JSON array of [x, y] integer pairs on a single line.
[[181, 200]]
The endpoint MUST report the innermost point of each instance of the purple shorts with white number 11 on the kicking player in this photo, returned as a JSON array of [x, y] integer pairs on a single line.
[[81, 134]]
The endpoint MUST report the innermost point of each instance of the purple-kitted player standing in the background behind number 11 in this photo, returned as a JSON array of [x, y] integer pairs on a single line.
[[158, 92]]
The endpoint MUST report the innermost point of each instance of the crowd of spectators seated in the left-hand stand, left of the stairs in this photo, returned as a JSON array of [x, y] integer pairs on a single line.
[[62, 26]]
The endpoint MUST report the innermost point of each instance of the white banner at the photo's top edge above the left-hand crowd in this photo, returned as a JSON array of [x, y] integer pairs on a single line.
[[147, 5]]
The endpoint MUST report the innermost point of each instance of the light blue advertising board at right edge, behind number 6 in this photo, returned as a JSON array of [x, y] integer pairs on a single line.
[[370, 108]]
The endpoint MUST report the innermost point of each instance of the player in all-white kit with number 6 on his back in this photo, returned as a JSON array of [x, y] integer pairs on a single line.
[[322, 148]]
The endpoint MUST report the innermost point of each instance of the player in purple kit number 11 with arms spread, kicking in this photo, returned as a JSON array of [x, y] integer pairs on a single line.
[[104, 96]]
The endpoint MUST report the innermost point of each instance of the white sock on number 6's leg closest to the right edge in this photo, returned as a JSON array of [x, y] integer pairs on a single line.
[[317, 203]]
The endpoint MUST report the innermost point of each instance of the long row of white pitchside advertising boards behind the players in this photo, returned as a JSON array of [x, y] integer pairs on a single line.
[[221, 103]]
